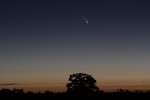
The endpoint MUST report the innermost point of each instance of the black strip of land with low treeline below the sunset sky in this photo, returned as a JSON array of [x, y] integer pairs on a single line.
[[6, 94]]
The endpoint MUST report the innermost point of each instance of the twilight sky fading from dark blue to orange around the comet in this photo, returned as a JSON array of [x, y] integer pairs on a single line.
[[43, 42]]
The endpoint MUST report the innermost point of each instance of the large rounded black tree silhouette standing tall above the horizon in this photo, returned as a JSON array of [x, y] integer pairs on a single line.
[[81, 83]]
